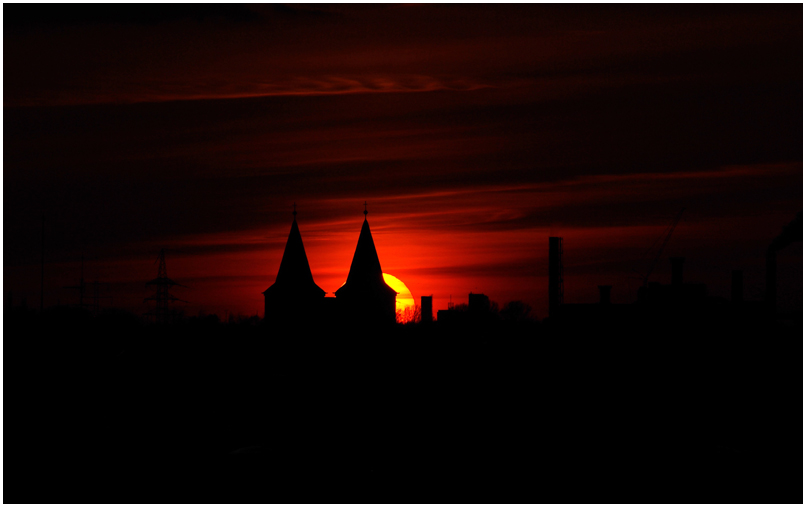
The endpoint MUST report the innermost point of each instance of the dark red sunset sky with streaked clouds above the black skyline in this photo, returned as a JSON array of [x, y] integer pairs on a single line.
[[473, 132]]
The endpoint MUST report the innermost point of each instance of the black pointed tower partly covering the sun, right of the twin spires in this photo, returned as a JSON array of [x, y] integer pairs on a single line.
[[365, 297]]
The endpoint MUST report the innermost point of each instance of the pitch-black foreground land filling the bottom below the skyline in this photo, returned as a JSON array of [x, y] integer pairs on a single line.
[[107, 409]]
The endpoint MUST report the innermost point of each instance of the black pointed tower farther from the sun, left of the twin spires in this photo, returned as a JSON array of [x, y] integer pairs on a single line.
[[294, 295]]
